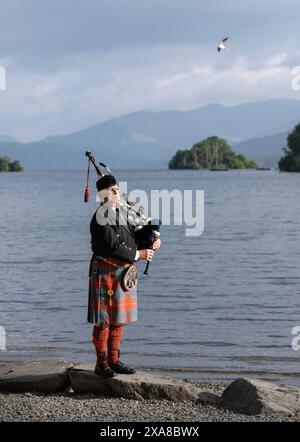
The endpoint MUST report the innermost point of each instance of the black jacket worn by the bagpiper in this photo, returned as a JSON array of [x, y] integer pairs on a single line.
[[113, 241]]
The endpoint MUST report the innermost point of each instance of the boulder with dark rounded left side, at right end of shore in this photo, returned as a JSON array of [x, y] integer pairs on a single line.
[[254, 396]]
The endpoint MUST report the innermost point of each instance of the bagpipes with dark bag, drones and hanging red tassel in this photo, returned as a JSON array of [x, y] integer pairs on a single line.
[[146, 230]]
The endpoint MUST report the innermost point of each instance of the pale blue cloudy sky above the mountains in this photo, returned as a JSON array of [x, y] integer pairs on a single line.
[[70, 64]]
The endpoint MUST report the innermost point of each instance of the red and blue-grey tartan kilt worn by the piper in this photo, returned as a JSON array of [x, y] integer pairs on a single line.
[[104, 276]]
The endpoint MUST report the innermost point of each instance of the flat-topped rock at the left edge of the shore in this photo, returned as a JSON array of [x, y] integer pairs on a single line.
[[40, 376]]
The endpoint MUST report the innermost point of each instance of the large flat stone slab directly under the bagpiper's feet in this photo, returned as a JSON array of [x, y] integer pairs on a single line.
[[137, 386]]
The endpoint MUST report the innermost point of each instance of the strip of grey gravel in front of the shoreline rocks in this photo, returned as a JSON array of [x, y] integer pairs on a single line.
[[69, 407]]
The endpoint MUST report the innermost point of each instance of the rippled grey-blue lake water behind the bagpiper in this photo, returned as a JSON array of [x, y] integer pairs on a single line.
[[217, 306]]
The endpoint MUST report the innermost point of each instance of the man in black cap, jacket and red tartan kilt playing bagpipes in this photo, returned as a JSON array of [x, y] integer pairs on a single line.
[[110, 306]]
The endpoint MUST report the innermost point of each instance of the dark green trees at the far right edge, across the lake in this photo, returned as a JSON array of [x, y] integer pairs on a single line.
[[291, 161]]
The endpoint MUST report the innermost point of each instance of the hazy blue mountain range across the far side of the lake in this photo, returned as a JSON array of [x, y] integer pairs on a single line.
[[149, 139]]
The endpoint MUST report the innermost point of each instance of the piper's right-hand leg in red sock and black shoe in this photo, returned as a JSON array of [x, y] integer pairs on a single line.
[[113, 345]]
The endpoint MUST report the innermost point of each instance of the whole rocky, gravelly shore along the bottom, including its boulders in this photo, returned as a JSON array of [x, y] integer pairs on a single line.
[[61, 392]]
